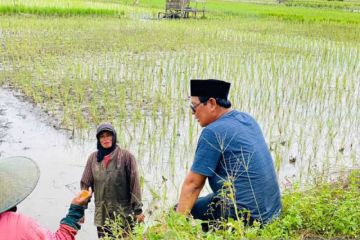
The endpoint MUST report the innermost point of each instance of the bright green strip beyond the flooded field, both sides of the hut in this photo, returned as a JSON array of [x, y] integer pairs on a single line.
[[302, 12]]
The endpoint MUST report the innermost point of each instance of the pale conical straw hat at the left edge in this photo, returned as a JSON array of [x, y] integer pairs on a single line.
[[18, 178]]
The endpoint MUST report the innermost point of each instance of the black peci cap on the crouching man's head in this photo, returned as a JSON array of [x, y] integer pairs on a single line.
[[209, 88]]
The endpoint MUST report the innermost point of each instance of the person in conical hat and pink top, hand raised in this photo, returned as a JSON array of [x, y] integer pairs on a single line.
[[18, 178]]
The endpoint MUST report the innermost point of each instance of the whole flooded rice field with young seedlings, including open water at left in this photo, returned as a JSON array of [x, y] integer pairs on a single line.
[[303, 89]]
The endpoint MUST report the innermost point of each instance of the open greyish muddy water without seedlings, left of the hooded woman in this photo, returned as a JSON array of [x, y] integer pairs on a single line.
[[60, 159]]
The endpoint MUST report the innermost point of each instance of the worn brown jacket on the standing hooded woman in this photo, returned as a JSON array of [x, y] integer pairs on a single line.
[[116, 188]]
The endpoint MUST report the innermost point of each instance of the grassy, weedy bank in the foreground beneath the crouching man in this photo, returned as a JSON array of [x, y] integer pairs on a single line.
[[322, 211]]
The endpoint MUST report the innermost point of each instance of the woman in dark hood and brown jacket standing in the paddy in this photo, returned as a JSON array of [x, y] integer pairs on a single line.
[[112, 174]]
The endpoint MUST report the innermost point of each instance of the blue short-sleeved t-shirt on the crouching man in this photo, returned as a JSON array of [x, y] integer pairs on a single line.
[[233, 148]]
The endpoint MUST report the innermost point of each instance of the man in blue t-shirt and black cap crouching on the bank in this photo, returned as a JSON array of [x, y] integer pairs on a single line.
[[233, 156]]
